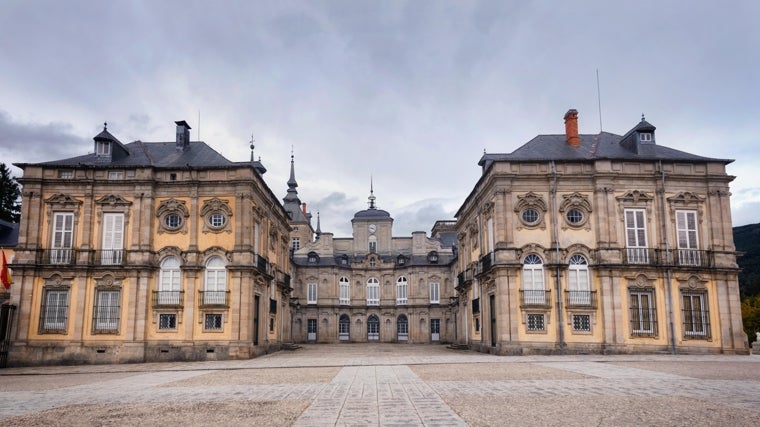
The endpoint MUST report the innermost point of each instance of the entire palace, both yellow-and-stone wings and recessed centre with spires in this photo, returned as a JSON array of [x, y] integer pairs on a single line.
[[573, 243]]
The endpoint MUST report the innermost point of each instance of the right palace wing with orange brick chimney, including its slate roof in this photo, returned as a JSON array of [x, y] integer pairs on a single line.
[[599, 243]]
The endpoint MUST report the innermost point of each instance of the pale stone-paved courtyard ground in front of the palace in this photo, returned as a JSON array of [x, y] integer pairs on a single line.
[[387, 384]]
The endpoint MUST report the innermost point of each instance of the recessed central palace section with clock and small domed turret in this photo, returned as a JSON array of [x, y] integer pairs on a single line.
[[373, 286]]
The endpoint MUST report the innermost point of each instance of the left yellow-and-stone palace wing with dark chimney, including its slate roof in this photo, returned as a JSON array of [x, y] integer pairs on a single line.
[[148, 252]]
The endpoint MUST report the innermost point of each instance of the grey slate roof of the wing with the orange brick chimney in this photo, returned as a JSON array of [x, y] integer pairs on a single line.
[[604, 145]]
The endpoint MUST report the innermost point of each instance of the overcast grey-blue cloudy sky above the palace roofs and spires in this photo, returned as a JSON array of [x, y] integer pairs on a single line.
[[408, 93]]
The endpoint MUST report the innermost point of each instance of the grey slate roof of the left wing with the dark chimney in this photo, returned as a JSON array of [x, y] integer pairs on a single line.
[[155, 154]]
